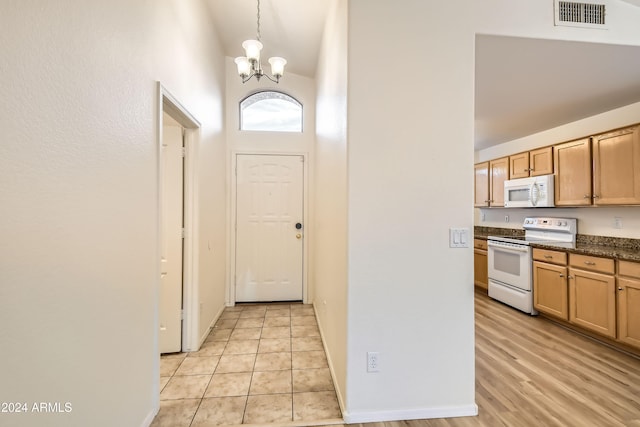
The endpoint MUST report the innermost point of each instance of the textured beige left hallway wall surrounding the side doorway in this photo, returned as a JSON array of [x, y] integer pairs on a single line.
[[79, 267]]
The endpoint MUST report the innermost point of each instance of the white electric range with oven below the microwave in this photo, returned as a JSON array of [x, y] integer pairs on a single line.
[[510, 263]]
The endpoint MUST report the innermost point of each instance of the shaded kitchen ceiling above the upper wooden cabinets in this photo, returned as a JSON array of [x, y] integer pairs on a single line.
[[524, 86]]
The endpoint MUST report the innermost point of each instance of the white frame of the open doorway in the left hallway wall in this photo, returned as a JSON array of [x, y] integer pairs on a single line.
[[167, 103]]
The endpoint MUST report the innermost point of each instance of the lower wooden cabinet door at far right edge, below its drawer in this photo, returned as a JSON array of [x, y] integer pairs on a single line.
[[629, 311]]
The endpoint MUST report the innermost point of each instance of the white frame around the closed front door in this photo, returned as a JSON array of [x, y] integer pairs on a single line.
[[231, 289]]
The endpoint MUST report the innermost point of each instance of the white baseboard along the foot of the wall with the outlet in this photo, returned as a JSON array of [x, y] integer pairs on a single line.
[[411, 414]]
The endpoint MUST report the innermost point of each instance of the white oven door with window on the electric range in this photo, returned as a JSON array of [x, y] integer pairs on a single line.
[[510, 264]]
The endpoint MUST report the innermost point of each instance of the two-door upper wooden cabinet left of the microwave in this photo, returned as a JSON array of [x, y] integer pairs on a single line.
[[489, 180]]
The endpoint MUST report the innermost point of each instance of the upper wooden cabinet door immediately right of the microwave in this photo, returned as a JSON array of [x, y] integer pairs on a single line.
[[573, 173]]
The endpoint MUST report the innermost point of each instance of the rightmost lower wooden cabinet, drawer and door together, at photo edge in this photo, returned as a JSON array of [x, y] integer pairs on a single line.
[[629, 303]]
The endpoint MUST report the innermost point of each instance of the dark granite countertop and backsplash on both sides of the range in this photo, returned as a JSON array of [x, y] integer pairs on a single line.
[[602, 246]]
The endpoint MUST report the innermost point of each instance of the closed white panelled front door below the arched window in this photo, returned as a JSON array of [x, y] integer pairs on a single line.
[[269, 227]]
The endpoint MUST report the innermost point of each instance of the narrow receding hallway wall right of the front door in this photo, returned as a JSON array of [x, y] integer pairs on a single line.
[[329, 262]]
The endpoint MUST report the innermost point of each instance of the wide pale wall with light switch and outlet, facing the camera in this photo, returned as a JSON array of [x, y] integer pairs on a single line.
[[410, 119]]
